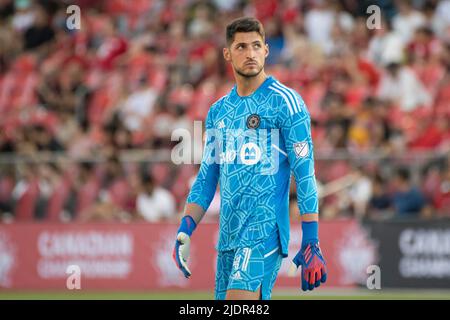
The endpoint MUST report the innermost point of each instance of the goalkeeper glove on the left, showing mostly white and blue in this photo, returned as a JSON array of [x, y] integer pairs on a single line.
[[182, 244]]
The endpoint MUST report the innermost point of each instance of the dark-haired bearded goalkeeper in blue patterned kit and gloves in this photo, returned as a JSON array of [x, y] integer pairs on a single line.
[[255, 136]]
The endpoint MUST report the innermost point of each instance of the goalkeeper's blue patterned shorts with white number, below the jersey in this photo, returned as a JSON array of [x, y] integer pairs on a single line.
[[249, 268]]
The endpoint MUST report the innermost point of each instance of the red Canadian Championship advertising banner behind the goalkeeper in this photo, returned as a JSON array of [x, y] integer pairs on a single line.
[[139, 256]]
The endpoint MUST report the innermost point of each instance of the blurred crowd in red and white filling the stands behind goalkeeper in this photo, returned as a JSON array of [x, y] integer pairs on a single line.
[[377, 88]]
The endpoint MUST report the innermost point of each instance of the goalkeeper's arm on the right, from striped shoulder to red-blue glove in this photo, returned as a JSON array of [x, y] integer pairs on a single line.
[[296, 134]]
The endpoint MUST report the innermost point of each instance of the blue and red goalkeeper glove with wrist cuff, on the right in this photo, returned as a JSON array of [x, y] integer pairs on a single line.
[[310, 258]]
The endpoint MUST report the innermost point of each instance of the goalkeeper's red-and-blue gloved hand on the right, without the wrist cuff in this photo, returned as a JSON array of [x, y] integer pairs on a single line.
[[314, 270]]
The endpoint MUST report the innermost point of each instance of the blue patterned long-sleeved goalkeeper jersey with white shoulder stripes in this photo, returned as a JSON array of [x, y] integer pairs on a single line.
[[252, 145]]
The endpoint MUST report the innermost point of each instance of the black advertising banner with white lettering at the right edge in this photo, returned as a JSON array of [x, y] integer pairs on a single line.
[[414, 254]]
